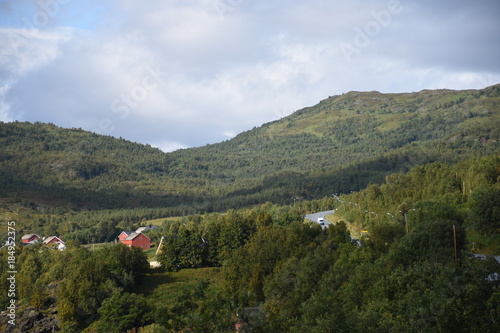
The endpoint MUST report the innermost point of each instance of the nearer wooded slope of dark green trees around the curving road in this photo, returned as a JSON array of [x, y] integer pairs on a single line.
[[269, 270]]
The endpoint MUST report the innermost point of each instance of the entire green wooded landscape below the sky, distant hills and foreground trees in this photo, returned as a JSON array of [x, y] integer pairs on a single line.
[[413, 180]]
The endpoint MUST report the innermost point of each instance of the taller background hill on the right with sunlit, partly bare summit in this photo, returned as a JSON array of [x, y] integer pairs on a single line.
[[345, 142]]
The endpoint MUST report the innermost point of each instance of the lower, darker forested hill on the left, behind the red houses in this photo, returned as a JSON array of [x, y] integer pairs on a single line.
[[78, 167]]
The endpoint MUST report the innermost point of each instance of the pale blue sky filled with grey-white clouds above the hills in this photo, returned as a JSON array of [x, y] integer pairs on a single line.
[[178, 74]]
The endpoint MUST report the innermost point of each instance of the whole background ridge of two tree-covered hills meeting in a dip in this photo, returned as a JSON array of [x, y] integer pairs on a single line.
[[339, 145]]
